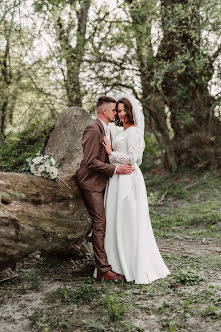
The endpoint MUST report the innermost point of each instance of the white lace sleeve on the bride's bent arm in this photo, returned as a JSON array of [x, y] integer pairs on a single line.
[[131, 157]]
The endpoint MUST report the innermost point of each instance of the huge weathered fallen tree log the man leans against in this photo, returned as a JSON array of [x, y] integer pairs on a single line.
[[41, 214]]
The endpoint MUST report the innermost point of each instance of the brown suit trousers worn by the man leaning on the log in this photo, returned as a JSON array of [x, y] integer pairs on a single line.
[[95, 205]]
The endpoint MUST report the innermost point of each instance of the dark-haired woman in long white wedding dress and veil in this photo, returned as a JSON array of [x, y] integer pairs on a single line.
[[129, 240]]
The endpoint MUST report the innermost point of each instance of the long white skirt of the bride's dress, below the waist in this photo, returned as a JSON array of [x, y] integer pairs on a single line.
[[129, 240]]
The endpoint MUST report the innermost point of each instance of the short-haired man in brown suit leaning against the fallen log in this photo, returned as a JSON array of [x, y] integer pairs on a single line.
[[92, 178]]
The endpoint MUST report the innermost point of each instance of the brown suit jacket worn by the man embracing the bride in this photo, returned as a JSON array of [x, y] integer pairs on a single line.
[[95, 169]]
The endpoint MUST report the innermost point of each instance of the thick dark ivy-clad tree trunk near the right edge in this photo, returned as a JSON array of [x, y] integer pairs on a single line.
[[197, 132]]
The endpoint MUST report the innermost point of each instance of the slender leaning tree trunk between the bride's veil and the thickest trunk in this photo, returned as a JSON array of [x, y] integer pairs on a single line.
[[152, 100]]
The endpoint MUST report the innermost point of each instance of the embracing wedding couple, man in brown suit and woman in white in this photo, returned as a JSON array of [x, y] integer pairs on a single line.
[[115, 194]]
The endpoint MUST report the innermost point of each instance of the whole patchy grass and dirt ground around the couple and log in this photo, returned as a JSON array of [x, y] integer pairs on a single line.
[[187, 226]]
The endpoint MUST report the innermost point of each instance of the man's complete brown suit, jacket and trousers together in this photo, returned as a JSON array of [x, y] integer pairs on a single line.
[[92, 178]]
